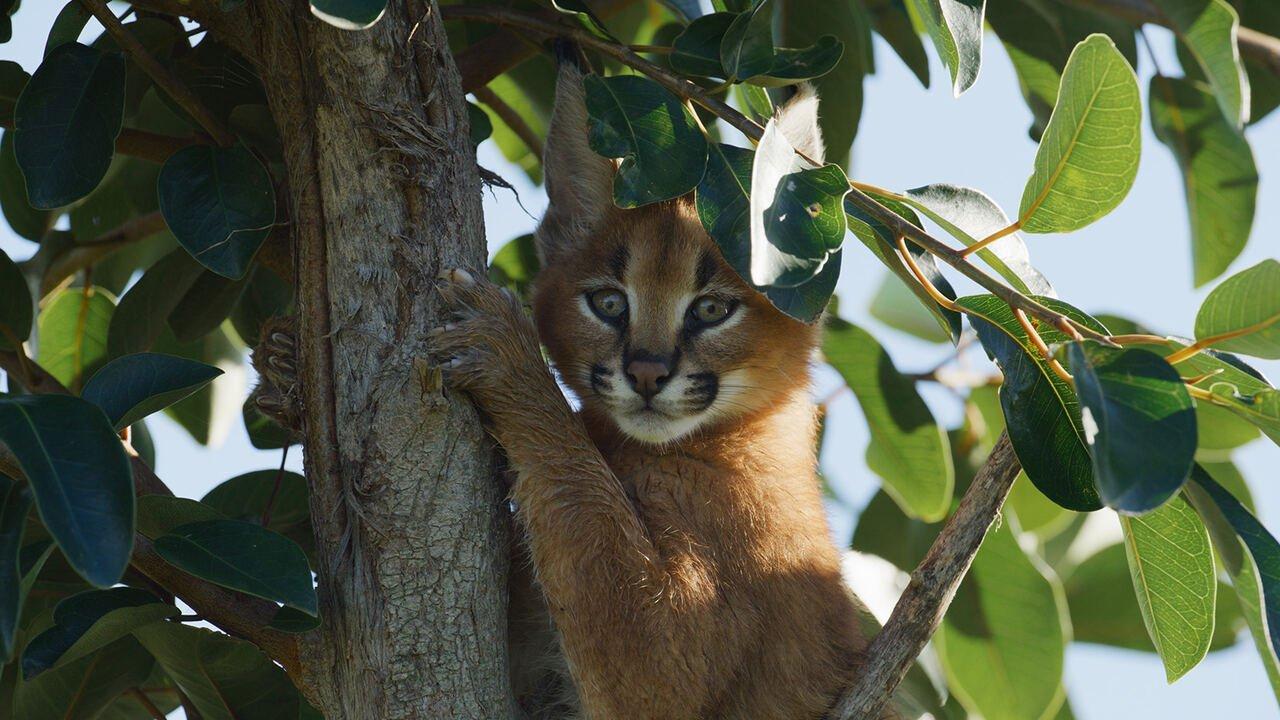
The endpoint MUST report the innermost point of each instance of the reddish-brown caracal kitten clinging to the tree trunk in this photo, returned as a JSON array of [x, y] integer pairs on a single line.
[[675, 559]]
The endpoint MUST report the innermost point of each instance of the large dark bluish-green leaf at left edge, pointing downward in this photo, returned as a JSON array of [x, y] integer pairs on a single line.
[[80, 476]]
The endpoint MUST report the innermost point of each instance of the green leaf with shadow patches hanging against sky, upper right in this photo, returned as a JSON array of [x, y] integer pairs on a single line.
[[1219, 175]]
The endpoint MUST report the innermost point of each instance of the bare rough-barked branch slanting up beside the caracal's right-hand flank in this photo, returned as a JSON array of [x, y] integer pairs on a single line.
[[934, 584]]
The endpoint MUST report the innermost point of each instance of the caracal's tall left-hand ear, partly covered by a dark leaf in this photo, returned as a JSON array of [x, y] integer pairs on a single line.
[[579, 183]]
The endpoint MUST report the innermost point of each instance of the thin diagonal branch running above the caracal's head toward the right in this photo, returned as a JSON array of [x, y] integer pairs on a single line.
[[691, 90]]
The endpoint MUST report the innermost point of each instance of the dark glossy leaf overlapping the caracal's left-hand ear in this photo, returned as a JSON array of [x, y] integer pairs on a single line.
[[664, 153]]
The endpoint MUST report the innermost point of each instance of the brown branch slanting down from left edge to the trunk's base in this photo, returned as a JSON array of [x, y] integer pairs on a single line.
[[235, 613]]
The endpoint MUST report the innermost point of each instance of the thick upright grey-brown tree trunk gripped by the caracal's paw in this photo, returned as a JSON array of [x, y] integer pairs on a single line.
[[385, 192]]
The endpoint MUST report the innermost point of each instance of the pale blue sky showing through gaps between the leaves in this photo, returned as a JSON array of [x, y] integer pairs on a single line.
[[1136, 262]]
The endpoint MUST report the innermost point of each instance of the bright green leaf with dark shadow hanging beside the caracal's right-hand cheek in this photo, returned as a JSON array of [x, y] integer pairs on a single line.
[[908, 449]]
